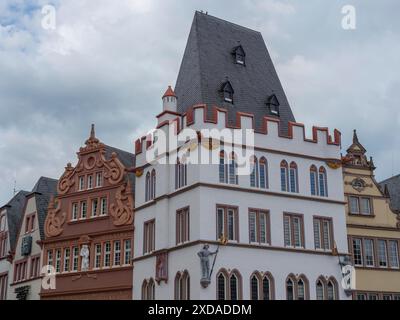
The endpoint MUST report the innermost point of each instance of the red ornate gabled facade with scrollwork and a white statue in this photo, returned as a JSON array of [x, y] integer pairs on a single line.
[[89, 226]]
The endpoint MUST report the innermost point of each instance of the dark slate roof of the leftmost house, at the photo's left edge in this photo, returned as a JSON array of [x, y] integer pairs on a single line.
[[14, 211]]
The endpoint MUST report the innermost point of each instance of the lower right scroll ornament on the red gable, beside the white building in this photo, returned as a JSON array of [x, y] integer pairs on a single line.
[[122, 212]]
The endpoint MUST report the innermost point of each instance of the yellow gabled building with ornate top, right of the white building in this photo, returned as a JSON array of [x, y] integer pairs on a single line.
[[373, 228]]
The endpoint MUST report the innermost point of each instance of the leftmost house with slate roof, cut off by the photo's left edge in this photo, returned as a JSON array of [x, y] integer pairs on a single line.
[[10, 219]]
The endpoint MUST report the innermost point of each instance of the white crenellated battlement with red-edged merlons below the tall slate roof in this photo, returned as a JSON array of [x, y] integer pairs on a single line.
[[268, 136]]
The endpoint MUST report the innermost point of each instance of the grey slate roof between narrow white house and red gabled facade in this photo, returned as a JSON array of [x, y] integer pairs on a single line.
[[43, 190]]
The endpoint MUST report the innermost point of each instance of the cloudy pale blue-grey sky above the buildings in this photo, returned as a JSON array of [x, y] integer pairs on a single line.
[[109, 62]]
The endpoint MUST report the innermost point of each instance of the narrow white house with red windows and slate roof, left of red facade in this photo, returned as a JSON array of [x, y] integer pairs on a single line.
[[25, 271]]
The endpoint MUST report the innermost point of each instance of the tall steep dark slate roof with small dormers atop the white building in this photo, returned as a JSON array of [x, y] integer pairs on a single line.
[[208, 62]]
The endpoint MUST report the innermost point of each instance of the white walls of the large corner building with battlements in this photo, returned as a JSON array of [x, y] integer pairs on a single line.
[[203, 192]]
